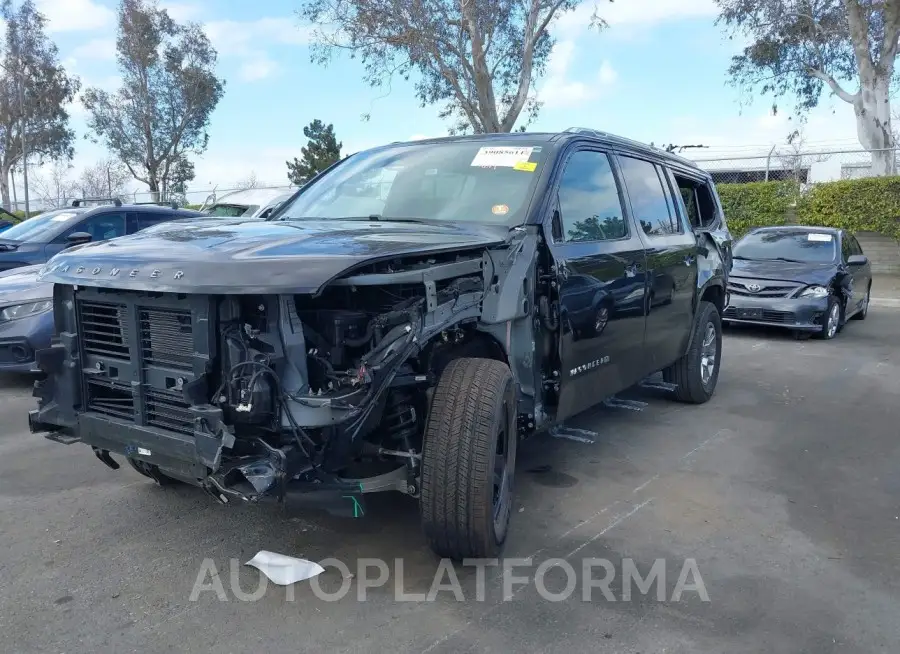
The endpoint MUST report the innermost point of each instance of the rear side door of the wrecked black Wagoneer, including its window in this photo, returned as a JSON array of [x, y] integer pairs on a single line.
[[671, 248]]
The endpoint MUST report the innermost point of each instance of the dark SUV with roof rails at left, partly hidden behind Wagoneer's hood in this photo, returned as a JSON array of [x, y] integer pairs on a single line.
[[37, 239]]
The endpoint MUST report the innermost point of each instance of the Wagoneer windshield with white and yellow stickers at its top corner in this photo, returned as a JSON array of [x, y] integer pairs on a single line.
[[451, 181]]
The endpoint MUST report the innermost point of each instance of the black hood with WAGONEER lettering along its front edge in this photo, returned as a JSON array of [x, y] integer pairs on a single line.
[[246, 256]]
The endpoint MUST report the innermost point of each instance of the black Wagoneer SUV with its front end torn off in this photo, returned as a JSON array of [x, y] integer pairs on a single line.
[[399, 324]]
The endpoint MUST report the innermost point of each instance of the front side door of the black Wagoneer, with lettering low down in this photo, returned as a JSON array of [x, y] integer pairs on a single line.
[[600, 274]]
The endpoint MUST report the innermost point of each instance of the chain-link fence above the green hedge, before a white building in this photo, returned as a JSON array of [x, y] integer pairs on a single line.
[[800, 165]]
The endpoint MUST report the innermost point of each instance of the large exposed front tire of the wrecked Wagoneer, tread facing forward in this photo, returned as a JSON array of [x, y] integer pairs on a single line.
[[465, 511]]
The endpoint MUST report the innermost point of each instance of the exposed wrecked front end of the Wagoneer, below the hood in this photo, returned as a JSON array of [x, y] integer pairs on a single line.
[[258, 396]]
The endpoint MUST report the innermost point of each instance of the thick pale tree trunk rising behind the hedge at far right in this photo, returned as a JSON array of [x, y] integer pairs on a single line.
[[873, 123]]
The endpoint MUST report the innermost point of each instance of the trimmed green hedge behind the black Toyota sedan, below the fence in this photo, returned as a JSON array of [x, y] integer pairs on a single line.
[[870, 205]]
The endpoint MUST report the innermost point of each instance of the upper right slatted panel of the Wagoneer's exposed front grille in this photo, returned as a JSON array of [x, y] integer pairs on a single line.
[[167, 338]]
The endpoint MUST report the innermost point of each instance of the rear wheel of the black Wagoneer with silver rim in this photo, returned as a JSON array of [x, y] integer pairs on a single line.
[[694, 376]]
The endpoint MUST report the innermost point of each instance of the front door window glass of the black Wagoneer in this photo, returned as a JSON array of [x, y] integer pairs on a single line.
[[590, 209]]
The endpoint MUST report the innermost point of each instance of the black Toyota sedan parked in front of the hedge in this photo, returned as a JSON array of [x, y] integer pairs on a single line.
[[808, 279]]
